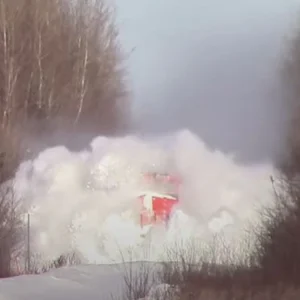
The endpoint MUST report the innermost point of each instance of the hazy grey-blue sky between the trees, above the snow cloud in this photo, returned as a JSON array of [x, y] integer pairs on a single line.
[[210, 66]]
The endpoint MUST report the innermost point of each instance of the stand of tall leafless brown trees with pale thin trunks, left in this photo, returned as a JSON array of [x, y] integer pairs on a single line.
[[60, 71]]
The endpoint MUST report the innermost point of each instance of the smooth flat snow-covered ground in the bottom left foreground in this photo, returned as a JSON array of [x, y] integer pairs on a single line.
[[71, 283]]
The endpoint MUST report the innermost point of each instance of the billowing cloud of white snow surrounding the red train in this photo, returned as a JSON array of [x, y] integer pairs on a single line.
[[86, 202]]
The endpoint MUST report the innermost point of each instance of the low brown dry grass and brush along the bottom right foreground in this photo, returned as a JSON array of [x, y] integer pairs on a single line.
[[182, 279]]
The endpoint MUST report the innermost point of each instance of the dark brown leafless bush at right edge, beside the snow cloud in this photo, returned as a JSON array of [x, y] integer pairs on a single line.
[[277, 252]]
